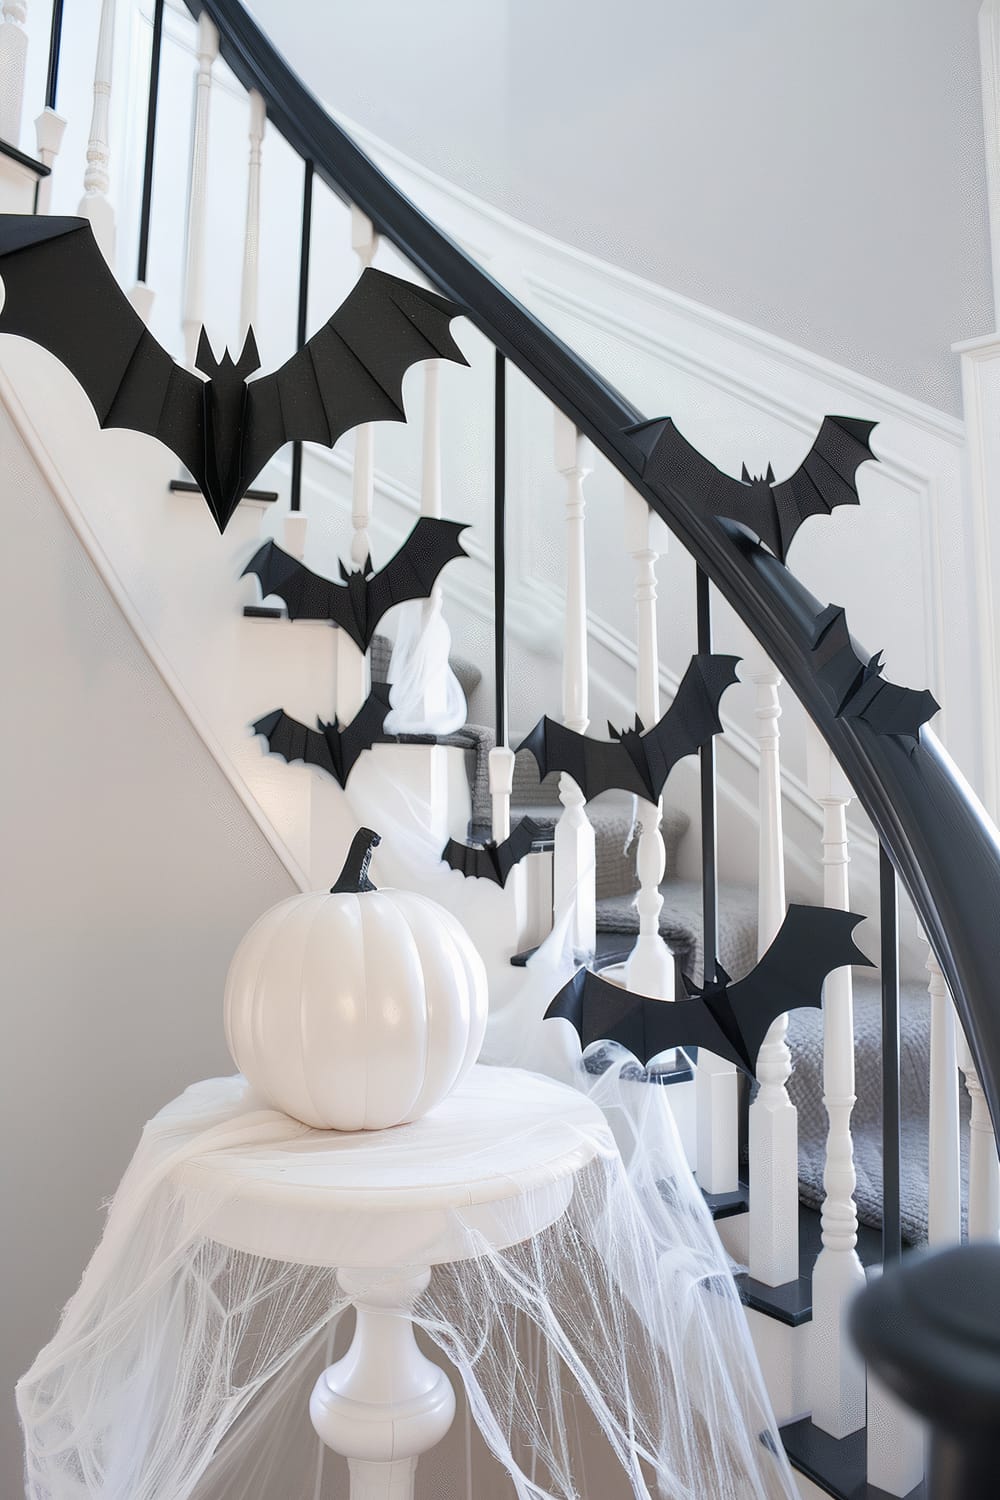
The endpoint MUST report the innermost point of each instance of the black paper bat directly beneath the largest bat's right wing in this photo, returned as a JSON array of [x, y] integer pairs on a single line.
[[362, 599]]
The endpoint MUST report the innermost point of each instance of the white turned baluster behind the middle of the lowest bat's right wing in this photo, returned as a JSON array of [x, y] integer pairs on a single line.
[[774, 1141]]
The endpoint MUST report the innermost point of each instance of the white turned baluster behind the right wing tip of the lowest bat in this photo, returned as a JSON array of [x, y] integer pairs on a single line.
[[837, 1385]]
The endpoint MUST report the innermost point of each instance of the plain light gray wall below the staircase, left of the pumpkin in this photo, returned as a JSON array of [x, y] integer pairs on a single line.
[[130, 874]]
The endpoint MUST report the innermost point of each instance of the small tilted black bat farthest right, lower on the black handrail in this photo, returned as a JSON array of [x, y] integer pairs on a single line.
[[857, 689]]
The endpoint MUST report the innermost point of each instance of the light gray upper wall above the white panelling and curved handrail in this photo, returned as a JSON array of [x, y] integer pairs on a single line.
[[815, 170]]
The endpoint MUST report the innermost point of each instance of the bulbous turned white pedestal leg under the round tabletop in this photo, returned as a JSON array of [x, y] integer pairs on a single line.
[[385, 1403]]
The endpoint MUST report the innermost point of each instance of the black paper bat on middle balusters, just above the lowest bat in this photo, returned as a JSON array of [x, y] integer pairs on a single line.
[[635, 760]]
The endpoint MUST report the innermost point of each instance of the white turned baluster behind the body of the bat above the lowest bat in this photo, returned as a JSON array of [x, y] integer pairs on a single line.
[[650, 967]]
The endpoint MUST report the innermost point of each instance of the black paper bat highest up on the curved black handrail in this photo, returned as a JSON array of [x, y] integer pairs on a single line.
[[827, 478]]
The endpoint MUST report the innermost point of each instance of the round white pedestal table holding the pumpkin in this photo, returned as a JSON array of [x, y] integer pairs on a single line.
[[491, 1166]]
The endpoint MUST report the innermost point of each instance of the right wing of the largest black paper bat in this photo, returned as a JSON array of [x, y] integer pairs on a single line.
[[353, 370]]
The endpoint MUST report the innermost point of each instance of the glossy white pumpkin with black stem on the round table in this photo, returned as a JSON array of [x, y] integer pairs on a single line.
[[359, 1009]]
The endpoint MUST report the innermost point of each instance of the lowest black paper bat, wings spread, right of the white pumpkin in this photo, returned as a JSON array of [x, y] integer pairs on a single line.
[[726, 1019]]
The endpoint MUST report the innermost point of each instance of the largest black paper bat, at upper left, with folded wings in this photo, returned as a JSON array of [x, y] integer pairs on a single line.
[[59, 293]]
